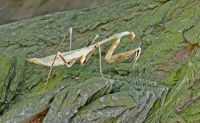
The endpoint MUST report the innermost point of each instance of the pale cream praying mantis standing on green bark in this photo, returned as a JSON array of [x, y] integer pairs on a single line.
[[70, 57]]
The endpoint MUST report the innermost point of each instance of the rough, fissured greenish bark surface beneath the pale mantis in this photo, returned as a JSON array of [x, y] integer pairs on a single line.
[[163, 86]]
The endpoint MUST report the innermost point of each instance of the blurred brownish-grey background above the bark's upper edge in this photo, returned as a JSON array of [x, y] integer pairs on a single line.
[[15, 10]]
